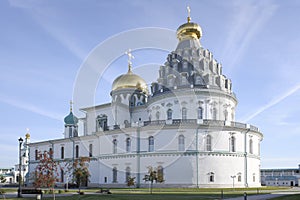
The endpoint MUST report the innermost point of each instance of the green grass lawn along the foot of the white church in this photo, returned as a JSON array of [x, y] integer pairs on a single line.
[[163, 193]]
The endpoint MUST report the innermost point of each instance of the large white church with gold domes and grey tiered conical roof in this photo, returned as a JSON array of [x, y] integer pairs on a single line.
[[183, 125]]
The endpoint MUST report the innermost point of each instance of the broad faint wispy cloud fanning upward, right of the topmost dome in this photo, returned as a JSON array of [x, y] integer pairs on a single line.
[[247, 23]]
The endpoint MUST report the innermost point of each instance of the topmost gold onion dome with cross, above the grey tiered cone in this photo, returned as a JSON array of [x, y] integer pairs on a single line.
[[189, 29]]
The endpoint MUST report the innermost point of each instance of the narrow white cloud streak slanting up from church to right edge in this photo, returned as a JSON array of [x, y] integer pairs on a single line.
[[273, 102]]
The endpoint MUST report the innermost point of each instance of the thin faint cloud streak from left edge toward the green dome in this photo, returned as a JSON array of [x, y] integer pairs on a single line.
[[30, 107]]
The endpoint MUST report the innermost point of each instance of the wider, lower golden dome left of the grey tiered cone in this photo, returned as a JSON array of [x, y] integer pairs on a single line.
[[130, 80]]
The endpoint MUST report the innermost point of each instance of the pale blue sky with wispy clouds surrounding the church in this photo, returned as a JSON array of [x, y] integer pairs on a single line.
[[43, 45]]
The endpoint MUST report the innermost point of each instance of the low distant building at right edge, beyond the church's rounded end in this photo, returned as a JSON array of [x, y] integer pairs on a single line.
[[280, 177]]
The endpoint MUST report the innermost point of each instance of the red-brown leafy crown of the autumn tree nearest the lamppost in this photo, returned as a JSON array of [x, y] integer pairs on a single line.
[[46, 172]]
